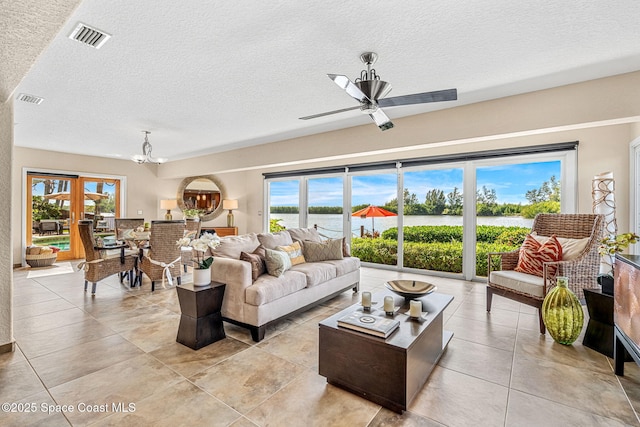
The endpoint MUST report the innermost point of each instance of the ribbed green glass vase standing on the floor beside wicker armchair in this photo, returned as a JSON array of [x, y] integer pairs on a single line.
[[562, 313]]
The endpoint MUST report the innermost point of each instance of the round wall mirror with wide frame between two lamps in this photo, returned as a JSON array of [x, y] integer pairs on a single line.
[[204, 193]]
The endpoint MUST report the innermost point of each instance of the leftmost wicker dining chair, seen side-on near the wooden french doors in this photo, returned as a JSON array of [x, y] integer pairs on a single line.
[[98, 263]]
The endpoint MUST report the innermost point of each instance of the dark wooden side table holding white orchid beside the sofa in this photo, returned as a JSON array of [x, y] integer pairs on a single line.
[[201, 320]]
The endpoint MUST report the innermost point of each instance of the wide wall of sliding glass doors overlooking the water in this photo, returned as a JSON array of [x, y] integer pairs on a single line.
[[443, 214]]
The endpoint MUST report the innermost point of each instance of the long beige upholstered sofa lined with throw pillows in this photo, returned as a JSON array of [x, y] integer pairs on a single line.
[[255, 304]]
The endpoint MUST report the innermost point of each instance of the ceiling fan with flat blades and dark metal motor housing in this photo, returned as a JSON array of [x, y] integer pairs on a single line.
[[369, 91]]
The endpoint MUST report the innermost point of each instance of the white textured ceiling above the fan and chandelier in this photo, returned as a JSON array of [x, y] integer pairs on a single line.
[[207, 76]]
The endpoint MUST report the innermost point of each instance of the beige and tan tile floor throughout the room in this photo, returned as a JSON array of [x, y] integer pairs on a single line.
[[118, 350]]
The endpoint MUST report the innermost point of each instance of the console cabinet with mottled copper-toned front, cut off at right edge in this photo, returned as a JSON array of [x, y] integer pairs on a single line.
[[626, 311]]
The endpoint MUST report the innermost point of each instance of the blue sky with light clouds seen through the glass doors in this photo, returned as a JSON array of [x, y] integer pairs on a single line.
[[511, 182]]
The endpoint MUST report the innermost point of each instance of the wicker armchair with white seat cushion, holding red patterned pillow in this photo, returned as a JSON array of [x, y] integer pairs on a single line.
[[582, 271]]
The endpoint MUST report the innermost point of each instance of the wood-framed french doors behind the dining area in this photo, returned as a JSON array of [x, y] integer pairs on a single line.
[[56, 202]]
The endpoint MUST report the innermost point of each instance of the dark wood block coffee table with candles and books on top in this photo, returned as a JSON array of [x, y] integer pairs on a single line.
[[391, 371]]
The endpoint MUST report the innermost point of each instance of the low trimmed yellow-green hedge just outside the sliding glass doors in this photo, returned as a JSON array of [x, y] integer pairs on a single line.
[[429, 256]]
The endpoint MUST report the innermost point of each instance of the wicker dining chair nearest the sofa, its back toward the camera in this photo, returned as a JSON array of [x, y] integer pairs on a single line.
[[162, 260]]
